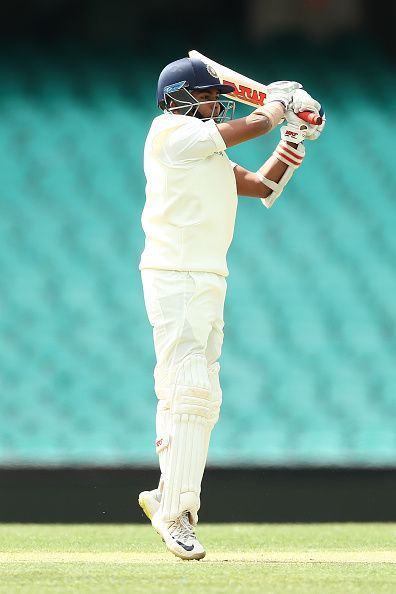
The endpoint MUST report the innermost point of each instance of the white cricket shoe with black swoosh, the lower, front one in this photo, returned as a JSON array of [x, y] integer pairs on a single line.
[[179, 537]]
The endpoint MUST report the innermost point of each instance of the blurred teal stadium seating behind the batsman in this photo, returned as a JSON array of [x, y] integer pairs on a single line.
[[308, 365]]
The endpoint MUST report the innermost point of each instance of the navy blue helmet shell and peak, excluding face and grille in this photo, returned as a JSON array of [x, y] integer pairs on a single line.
[[191, 74]]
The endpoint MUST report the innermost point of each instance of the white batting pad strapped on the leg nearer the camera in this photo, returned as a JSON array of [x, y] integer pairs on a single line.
[[193, 412]]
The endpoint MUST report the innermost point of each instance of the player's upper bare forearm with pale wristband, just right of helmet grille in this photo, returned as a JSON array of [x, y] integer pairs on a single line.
[[259, 122]]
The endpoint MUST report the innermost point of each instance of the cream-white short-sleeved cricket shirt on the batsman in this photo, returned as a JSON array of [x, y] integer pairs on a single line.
[[191, 196]]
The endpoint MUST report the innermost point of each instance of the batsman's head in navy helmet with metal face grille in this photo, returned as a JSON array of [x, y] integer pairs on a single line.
[[190, 87]]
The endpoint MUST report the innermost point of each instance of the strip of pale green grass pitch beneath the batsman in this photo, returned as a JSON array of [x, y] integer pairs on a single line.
[[241, 559]]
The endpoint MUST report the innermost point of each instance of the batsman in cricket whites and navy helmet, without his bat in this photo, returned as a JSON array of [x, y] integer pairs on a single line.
[[188, 220]]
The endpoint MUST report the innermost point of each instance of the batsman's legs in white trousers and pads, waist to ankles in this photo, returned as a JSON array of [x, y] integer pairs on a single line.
[[186, 311]]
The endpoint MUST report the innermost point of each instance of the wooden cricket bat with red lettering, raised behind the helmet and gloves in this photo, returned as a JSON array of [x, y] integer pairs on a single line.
[[247, 90]]
